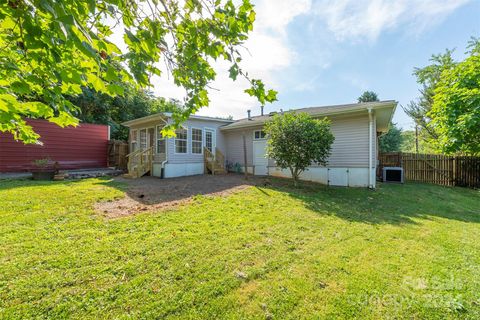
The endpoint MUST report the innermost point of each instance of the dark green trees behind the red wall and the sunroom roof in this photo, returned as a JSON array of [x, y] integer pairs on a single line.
[[101, 108]]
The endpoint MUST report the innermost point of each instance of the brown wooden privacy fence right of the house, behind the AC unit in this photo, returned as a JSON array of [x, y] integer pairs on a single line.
[[443, 170]]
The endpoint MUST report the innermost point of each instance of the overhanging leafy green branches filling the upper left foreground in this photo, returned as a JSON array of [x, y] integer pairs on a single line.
[[51, 49]]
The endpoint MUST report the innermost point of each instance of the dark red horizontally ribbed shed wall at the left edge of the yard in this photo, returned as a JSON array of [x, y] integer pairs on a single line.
[[84, 146]]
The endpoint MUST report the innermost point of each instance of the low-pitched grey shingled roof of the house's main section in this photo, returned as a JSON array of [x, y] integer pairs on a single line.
[[313, 111]]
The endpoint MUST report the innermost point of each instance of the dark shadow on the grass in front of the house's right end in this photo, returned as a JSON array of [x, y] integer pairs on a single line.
[[389, 203]]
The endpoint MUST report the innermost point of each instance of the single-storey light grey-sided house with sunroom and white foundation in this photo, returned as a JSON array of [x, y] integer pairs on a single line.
[[352, 162]]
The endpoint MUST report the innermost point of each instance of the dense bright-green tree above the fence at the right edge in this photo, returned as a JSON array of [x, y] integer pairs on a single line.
[[455, 111]]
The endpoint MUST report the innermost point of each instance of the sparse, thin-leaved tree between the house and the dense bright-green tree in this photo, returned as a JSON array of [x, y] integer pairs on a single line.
[[428, 77]]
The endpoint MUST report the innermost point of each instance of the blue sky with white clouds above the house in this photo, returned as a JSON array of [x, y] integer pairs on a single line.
[[317, 52]]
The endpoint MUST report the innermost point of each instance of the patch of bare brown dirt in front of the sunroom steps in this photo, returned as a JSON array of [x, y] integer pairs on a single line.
[[151, 193]]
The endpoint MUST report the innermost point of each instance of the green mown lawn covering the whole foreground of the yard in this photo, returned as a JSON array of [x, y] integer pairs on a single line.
[[403, 251]]
